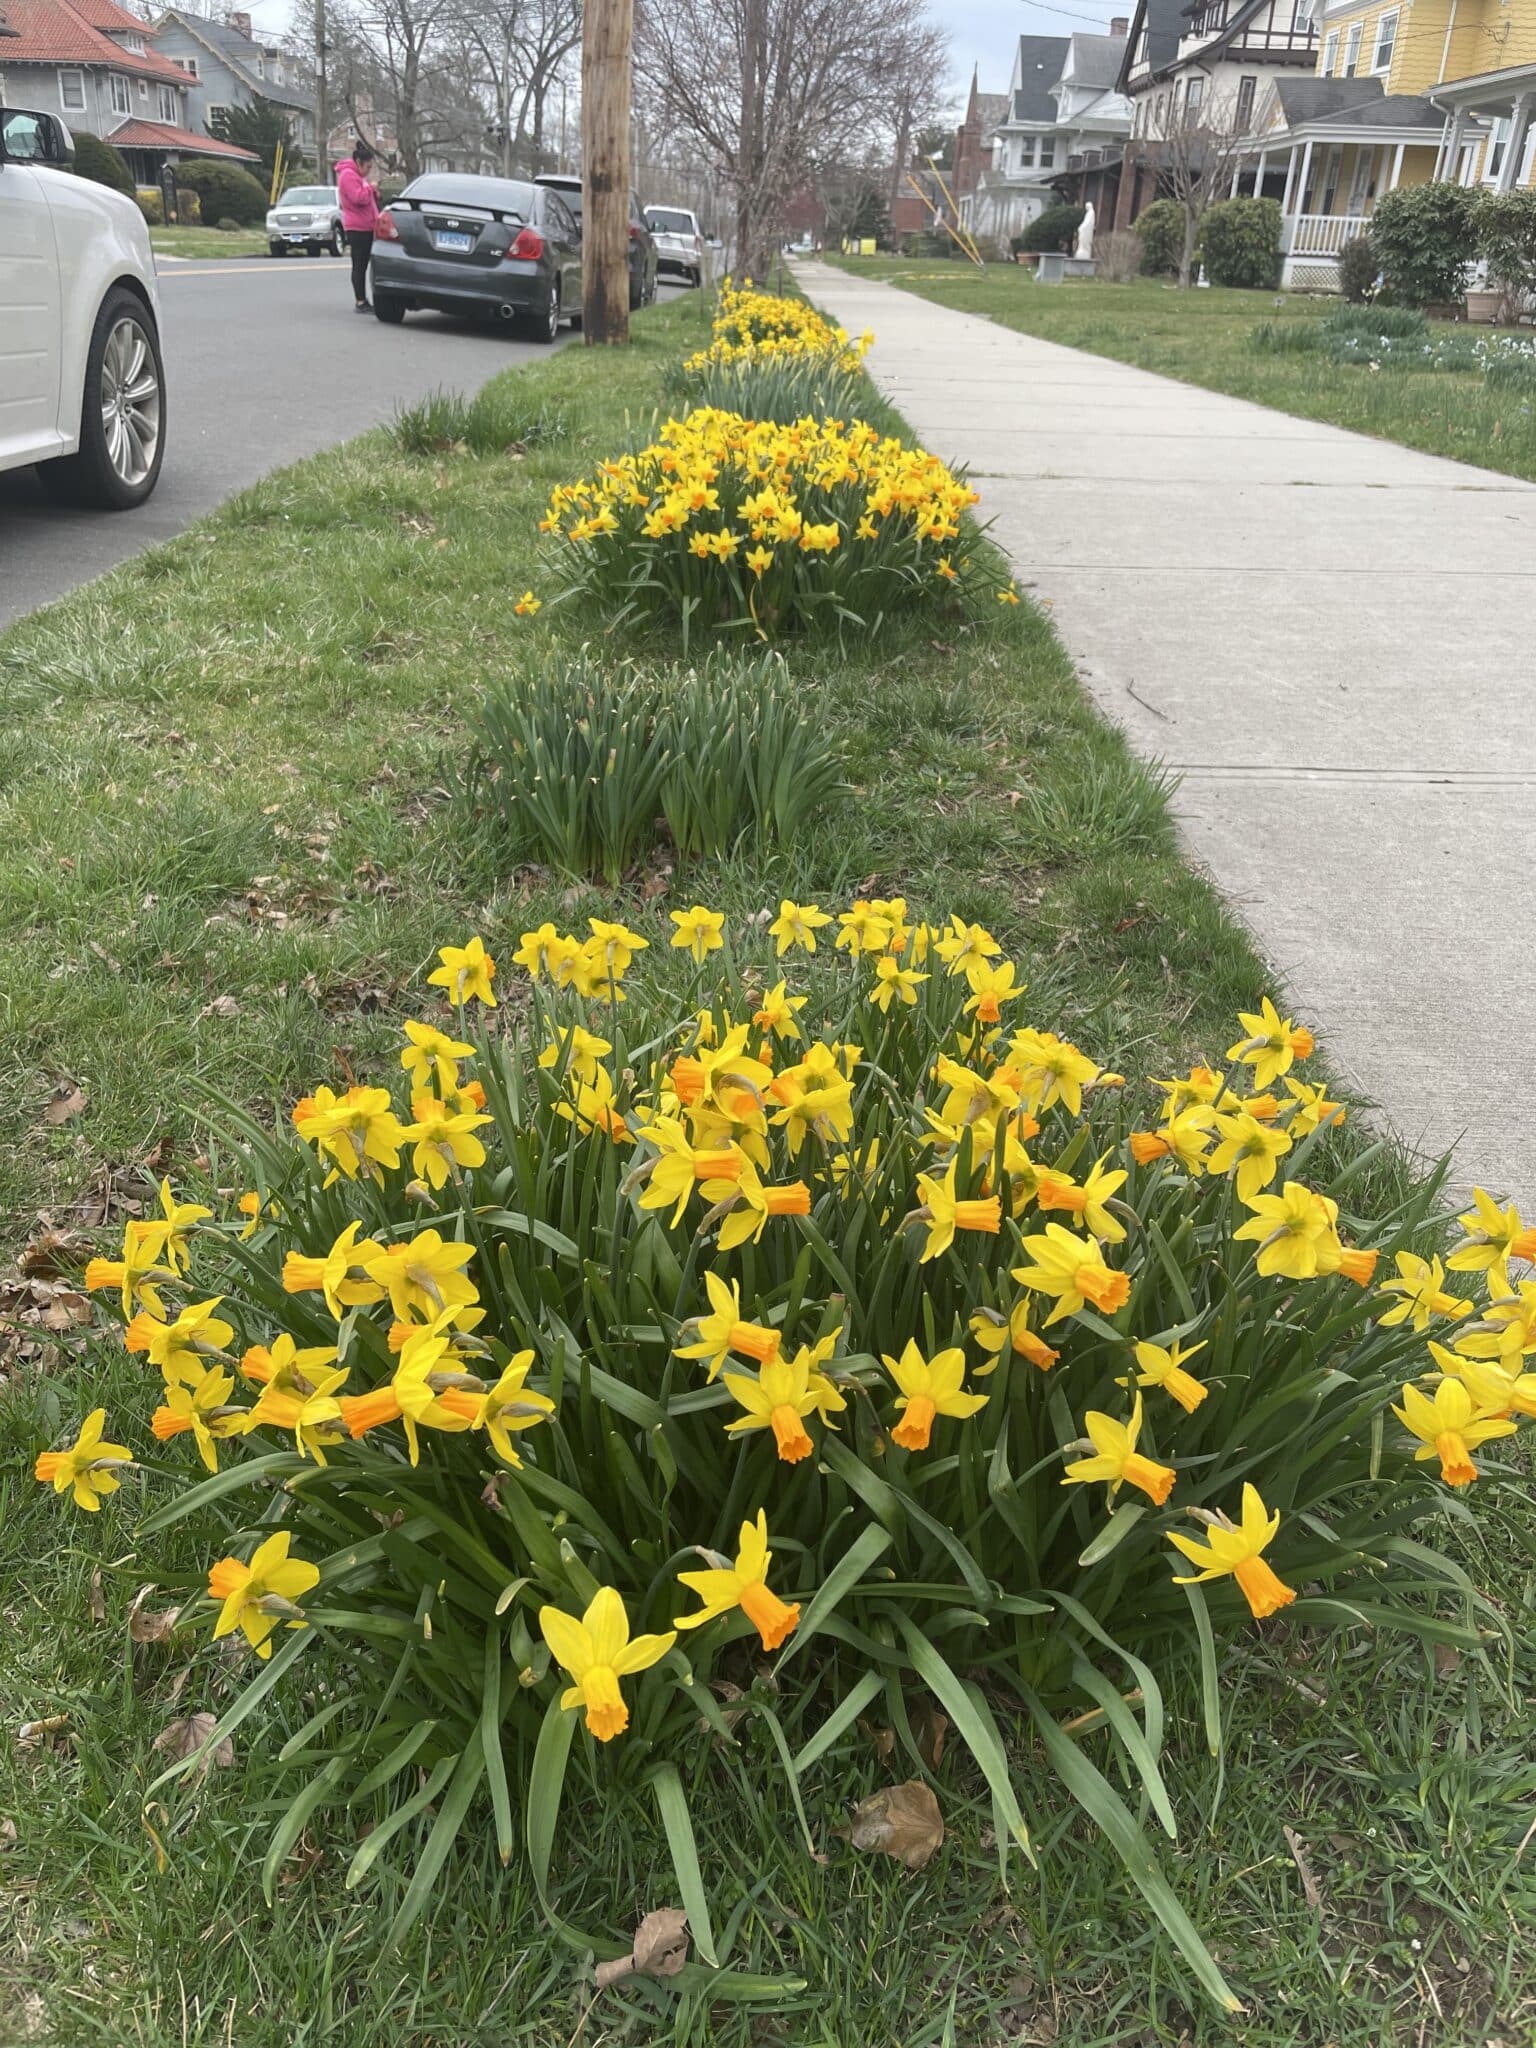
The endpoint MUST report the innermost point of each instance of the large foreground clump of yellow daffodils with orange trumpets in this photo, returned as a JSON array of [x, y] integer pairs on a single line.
[[1031, 1404]]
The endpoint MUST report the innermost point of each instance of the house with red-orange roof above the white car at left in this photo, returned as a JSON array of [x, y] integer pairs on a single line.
[[101, 71]]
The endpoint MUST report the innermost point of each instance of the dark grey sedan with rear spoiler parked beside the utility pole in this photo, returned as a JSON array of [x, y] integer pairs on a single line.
[[490, 247]]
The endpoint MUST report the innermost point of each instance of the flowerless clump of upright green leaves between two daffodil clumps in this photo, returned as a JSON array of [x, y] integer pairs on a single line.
[[577, 763]]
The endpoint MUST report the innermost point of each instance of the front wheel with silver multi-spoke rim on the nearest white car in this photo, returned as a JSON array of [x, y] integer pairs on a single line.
[[122, 413]]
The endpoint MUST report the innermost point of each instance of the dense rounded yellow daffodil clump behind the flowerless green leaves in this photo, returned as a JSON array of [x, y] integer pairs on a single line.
[[763, 529]]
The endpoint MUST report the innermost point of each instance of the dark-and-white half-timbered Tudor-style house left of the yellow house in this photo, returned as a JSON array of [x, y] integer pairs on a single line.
[[1203, 62]]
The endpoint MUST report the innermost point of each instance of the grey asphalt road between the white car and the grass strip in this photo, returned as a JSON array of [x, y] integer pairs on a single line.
[[265, 364]]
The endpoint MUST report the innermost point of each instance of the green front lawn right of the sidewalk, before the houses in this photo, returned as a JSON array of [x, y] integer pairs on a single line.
[[1203, 337]]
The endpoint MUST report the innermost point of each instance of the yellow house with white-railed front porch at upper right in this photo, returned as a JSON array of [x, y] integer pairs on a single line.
[[1404, 91]]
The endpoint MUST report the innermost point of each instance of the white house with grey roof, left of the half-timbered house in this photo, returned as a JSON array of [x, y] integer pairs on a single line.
[[1064, 108]]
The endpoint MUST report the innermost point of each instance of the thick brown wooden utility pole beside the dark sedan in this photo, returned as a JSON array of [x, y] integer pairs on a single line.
[[607, 34]]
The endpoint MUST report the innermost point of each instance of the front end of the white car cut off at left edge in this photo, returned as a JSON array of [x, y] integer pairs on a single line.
[[83, 388]]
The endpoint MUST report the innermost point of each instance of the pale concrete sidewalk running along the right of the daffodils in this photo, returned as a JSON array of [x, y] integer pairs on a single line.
[[1330, 640]]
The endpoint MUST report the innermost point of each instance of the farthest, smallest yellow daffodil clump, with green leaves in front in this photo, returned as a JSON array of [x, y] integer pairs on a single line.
[[775, 359]]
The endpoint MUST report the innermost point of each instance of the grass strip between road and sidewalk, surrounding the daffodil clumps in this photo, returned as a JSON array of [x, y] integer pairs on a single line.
[[228, 853]]
